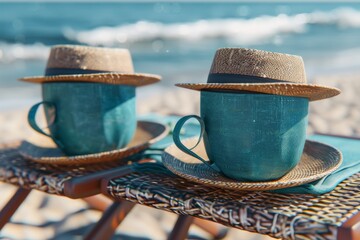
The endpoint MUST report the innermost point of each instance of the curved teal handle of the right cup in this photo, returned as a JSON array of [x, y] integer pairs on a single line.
[[182, 147]]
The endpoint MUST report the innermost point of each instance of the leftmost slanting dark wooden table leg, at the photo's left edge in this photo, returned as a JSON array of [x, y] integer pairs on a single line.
[[12, 205]]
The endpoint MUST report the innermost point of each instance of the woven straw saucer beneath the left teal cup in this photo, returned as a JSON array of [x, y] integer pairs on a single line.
[[147, 133]]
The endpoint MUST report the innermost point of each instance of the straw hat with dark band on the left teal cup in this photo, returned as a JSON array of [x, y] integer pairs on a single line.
[[92, 64]]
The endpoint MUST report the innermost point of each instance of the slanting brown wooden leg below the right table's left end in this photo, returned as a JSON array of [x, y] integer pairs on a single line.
[[111, 219]]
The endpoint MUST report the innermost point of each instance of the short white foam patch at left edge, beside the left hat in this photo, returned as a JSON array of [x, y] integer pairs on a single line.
[[17, 51]]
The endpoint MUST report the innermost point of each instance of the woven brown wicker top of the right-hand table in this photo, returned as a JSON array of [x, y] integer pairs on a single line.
[[281, 216]]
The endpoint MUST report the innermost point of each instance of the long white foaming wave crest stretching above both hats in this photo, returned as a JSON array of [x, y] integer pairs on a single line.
[[245, 31]]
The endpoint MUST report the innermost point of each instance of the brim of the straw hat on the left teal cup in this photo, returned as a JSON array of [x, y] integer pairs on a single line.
[[134, 79]]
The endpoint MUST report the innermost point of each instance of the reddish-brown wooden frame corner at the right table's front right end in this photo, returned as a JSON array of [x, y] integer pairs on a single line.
[[350, 230]]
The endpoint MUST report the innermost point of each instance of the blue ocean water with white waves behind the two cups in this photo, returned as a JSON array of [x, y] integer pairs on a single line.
[[175, 40]]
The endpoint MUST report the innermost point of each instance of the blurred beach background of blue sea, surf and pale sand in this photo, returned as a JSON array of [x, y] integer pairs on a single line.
[[176, 40]]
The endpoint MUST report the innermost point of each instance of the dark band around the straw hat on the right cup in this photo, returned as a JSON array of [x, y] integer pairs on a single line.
[[239, 78]]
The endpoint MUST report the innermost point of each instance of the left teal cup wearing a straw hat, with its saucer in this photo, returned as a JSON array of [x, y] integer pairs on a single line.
[[89, 101]]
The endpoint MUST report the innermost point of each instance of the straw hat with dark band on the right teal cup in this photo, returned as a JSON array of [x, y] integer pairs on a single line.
[[240, 69]]
